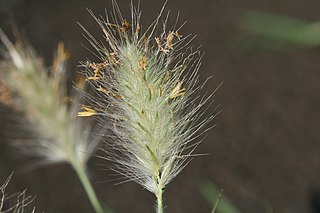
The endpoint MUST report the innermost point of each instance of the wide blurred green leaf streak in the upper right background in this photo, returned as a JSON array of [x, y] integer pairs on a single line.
[[281, 28]]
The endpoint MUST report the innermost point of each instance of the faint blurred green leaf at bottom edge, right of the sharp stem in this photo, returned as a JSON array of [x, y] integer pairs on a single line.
[[220, 203]]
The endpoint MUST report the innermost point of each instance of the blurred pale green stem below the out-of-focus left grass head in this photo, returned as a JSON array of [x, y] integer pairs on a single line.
[[80, 170]]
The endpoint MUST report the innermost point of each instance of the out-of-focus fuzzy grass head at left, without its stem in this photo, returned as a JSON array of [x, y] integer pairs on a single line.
[[40, 93]]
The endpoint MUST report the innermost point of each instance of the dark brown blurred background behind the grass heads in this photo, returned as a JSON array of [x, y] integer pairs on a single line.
[[265, 150]]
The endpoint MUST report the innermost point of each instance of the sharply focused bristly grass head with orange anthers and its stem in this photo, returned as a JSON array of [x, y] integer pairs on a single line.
[[147, 93]]
